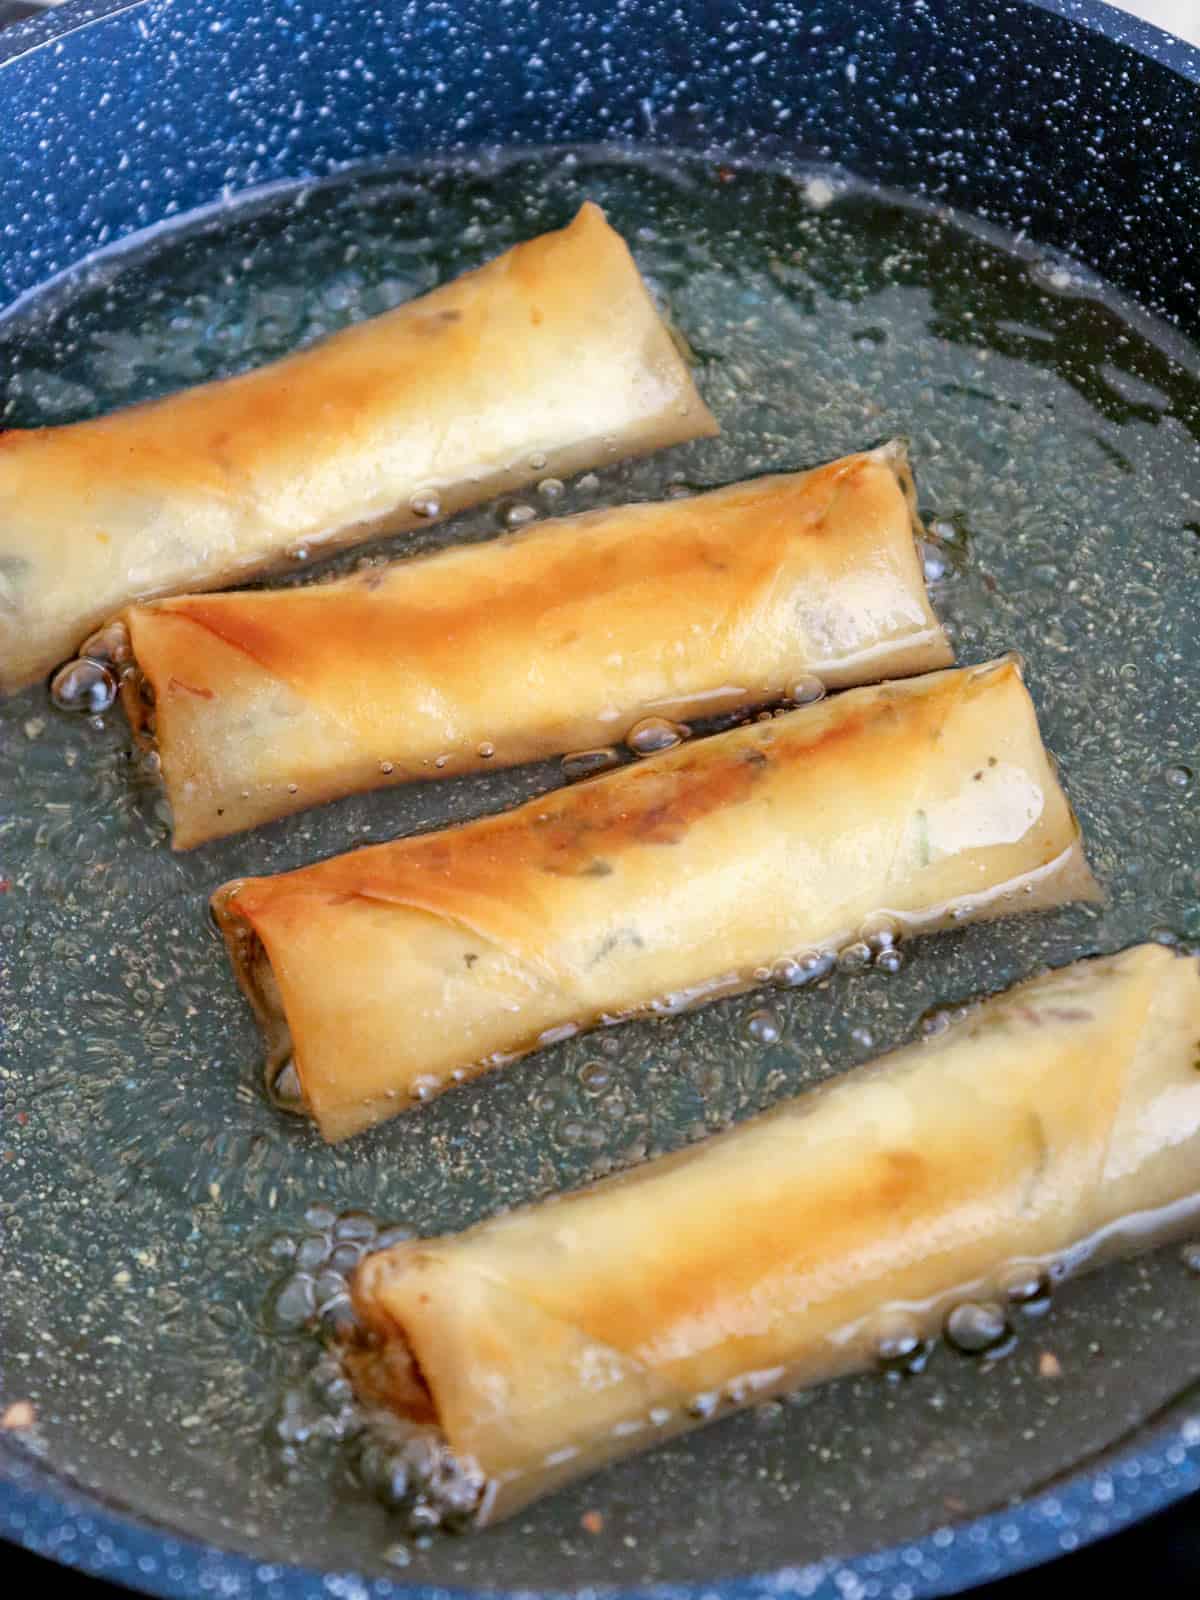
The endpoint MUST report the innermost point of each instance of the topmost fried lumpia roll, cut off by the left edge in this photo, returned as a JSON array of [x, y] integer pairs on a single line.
[[550, 359]]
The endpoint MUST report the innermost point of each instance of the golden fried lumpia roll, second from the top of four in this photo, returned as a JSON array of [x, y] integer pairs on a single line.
[[551, 641]]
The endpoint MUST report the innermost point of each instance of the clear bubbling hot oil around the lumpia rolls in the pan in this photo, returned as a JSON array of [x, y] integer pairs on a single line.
[[150, 1194]]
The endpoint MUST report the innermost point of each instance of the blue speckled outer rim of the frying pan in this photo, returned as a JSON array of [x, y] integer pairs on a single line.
[[81, 1532]]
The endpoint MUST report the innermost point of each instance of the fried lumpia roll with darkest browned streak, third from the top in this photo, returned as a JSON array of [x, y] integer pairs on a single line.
[[396, 970]]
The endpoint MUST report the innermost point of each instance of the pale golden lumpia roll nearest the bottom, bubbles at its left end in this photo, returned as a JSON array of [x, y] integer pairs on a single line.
[[794, 1249]]
